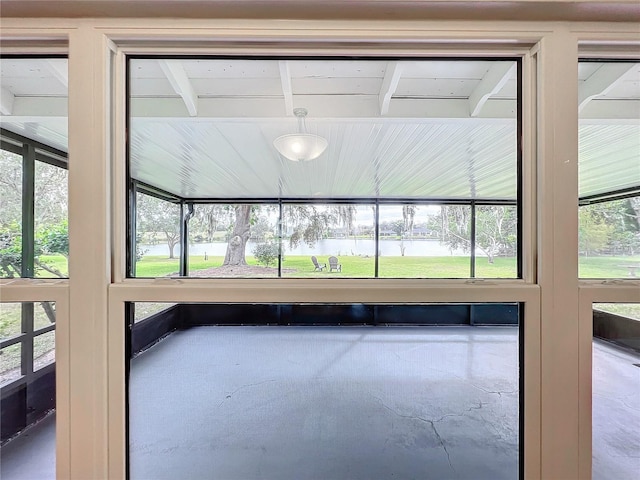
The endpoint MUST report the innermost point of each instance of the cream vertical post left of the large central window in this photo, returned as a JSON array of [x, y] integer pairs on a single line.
[[89, 247]]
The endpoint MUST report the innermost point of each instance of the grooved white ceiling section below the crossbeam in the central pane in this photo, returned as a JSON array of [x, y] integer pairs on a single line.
[[364, 160]]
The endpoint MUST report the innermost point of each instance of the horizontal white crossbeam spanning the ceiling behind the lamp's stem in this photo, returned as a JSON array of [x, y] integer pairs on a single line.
[[323, 107]]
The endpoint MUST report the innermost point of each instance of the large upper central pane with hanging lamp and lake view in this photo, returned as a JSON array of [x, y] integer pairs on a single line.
[[324, 168]]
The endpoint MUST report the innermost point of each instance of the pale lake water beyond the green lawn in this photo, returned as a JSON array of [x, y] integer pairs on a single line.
[[332, 246]]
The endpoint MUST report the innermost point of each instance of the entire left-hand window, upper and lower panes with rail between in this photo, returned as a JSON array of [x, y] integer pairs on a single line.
[[34, 244]]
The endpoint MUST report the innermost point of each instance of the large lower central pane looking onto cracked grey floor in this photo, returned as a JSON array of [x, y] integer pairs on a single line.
[[210, 400]]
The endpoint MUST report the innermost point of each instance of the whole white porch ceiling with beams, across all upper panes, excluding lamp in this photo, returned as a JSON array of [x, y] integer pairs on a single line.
[[203, 128]]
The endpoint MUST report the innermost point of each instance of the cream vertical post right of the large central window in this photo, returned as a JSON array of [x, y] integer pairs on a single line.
[[558, 253]]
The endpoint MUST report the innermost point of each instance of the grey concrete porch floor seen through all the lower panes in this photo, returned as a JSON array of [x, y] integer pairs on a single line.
[[268, 402]]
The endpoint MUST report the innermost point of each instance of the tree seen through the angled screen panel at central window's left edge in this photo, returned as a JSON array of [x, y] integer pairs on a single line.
[[159, 216]]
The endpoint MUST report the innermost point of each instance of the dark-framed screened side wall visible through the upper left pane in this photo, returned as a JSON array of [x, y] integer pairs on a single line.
[[34, 239]]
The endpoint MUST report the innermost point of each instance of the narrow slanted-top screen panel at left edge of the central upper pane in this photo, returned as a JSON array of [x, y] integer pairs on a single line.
[[157, 237]]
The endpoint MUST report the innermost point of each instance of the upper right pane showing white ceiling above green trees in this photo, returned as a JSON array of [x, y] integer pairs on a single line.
[[609, 160]]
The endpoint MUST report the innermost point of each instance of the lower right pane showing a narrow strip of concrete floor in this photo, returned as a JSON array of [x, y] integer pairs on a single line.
[[616, 391]]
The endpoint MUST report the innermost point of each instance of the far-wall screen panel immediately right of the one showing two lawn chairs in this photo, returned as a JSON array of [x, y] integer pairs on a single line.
[[425, 241]]
